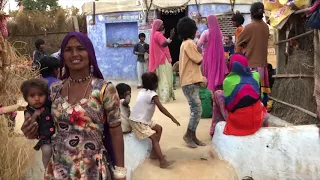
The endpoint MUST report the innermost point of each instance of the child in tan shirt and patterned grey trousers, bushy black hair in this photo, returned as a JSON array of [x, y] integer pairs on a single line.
[[190, 77]]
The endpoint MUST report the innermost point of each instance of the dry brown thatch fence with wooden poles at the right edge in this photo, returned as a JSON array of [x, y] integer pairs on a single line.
[[296, 91]]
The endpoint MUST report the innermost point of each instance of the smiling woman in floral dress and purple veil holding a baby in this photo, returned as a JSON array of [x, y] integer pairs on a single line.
[[83, 104]]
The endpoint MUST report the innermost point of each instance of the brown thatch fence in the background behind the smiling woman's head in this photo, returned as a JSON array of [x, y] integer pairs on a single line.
[[51, 26]]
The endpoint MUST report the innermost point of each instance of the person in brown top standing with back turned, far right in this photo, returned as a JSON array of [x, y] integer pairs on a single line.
[[254, 38]]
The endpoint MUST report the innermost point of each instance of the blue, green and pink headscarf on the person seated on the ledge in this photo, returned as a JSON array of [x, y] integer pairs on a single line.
[[241, 87]]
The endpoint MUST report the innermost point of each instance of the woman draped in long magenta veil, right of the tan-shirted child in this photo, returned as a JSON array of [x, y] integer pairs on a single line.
[[214, 65]]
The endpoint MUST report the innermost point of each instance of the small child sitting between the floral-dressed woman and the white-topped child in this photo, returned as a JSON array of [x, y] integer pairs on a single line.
[[124, 91]]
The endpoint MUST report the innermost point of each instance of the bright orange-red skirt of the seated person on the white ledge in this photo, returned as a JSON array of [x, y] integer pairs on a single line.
[[245, 121]]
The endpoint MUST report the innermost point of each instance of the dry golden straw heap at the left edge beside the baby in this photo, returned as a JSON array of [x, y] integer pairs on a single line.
[[15, 150]]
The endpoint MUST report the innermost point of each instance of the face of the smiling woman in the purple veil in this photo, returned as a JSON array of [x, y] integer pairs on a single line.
[[75, 55]]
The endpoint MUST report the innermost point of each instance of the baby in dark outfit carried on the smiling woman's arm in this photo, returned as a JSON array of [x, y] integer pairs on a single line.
[[35, 92]]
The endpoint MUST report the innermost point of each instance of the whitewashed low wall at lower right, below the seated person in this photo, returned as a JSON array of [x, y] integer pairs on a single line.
[[272, 153]]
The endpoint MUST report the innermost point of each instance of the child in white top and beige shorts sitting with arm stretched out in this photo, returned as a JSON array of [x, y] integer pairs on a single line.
[[142, 113]]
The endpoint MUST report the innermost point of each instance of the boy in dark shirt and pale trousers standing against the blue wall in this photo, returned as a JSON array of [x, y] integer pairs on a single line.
[[141, 49]]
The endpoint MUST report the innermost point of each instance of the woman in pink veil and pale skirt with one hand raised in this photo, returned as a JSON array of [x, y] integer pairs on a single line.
[[160, 60]]
